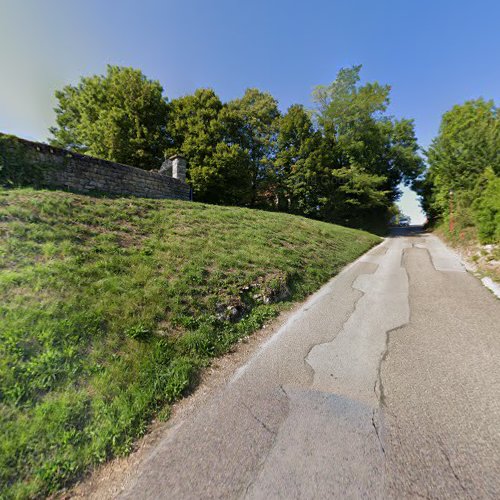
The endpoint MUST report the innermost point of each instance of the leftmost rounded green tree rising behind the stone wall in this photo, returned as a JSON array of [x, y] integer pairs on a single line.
[[120, 116]]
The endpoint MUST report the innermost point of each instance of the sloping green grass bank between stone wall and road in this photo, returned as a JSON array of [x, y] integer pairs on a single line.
[[109, 308]]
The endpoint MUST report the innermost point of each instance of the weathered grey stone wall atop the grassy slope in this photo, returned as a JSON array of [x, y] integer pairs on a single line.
[[76, 172]]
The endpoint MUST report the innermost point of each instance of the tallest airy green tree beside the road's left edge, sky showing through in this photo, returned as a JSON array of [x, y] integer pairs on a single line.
[[370, 153]]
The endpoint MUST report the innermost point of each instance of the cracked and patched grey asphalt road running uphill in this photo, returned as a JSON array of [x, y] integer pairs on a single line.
[[385, 384]]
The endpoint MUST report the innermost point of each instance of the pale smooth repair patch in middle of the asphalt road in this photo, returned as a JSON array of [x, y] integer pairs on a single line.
[[354, 355]]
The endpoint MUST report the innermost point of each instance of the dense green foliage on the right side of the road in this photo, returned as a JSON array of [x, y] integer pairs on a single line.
[[464, 170]]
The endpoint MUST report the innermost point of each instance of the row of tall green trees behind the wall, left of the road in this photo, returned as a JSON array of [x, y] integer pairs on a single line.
[[341, 161]]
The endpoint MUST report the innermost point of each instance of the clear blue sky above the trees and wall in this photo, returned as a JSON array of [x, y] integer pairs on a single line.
[[434, 54]]
